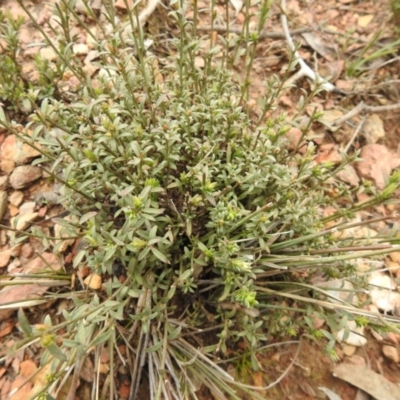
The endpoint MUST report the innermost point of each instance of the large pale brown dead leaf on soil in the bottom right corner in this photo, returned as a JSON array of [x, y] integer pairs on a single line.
[[374, 384]]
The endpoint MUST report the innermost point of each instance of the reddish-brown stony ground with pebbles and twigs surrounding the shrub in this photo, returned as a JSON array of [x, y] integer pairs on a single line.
[[334, 36]]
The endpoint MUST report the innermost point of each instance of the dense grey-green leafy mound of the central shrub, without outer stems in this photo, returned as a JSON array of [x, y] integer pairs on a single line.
[[177, 175]]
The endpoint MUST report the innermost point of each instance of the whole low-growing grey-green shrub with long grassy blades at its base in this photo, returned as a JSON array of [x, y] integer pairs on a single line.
[[193, 212]]
